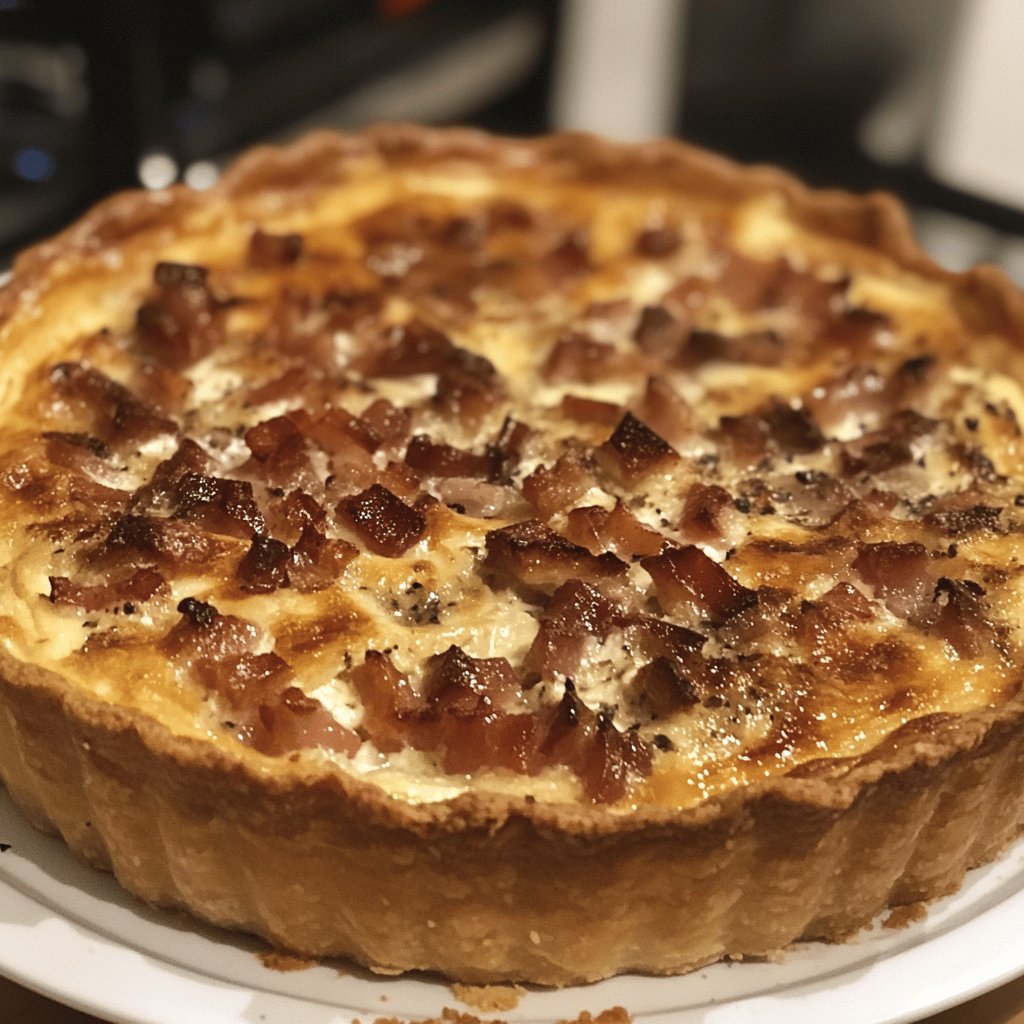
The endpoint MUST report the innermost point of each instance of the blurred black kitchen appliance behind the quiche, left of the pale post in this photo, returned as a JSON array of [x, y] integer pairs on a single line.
[[97, 97]]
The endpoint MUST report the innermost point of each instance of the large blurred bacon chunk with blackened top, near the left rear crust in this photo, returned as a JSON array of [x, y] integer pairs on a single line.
[[185, 321]]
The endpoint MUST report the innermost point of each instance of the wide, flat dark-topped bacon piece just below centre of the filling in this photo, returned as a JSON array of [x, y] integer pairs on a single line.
[[538, 557]]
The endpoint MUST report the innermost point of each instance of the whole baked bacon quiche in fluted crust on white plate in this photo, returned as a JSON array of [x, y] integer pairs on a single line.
[[519, 560]]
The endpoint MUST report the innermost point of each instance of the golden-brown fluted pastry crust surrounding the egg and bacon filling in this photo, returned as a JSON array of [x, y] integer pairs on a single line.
[[485, 888]]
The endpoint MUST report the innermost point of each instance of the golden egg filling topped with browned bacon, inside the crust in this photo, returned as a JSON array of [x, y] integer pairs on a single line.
[[608, 496]]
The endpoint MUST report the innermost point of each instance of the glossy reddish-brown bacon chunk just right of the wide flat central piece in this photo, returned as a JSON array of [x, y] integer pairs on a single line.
[[688, 581]]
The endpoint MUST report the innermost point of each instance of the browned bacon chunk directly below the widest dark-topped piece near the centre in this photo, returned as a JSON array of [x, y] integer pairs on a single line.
[[577, 611]]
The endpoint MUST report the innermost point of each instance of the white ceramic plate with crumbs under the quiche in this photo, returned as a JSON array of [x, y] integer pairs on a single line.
[[71, 933]]
